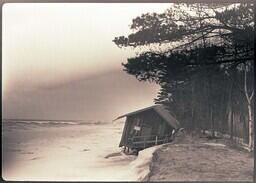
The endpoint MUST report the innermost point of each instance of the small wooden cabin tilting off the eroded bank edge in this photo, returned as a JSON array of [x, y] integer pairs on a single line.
[[148, 127]]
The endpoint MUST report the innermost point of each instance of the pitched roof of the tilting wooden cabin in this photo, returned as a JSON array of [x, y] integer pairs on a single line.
[[161, 110]]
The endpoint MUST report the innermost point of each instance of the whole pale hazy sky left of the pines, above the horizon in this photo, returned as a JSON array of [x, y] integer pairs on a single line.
[[59, 61]]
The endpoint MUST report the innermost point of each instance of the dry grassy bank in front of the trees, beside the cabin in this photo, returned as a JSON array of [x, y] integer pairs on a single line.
[[189, 159]]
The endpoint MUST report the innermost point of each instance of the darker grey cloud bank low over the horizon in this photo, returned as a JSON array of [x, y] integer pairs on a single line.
[[101, 97]]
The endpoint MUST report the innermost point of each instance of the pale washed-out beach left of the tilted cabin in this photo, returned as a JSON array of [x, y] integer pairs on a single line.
[[65, 153]]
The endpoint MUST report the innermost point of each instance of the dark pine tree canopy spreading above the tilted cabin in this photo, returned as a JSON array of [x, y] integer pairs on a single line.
[[197, 54]]
